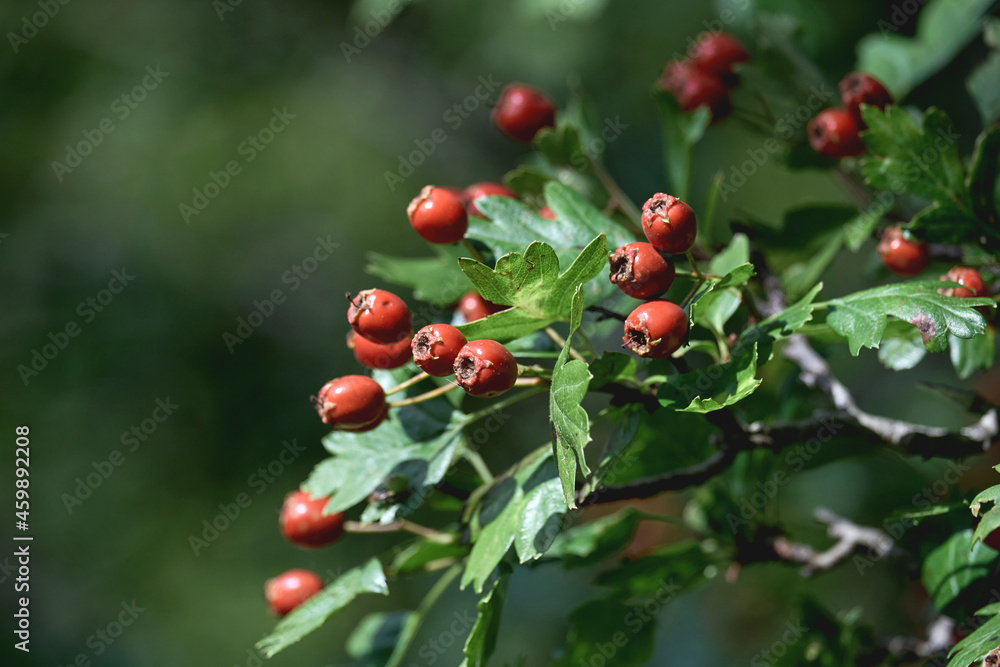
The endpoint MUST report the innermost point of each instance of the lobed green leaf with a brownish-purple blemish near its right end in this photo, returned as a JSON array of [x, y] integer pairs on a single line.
[[862, 317]]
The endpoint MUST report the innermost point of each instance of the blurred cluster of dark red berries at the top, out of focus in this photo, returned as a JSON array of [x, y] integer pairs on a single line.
[[706, 76]]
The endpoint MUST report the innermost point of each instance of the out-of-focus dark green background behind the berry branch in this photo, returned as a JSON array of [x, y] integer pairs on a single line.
[[225, 69]]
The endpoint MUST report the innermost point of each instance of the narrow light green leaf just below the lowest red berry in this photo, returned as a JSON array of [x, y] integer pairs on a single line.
[[312, 613]]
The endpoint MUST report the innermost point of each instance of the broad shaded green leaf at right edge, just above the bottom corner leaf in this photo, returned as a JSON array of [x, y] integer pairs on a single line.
[[954, 566]]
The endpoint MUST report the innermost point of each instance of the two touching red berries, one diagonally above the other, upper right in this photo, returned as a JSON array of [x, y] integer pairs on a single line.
[[836, 132]]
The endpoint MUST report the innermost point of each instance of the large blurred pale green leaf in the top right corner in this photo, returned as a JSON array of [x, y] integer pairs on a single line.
[[944, 27]]
